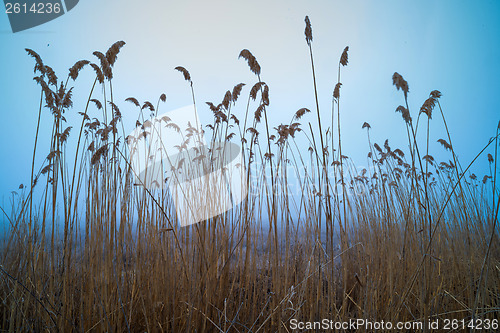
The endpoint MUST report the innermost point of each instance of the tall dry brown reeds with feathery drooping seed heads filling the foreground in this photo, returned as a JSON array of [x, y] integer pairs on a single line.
[[406, 239]]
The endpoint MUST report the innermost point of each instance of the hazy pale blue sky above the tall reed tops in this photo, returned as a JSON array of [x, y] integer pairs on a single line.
[[452, 46]]
